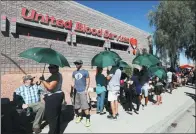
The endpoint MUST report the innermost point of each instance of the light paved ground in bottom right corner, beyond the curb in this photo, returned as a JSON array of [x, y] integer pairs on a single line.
[[185, 123]]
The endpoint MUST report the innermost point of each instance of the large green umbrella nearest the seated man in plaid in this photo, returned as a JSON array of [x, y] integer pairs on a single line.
[[45, 55]]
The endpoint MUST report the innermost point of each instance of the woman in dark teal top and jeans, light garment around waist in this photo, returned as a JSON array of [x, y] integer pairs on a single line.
[[100, 90]]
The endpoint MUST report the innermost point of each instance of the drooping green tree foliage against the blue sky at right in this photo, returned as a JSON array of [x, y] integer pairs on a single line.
[[174, 23]]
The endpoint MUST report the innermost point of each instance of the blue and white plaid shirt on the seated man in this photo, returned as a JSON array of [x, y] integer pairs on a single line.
[[30, 94]]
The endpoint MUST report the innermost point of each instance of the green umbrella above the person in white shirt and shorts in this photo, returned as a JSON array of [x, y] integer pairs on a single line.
[[105, 59]]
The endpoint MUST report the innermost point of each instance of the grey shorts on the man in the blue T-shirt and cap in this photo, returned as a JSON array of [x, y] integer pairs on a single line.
[[81, 101]]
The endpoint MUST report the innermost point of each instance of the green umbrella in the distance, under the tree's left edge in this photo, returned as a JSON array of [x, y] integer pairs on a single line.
[[146, 60]]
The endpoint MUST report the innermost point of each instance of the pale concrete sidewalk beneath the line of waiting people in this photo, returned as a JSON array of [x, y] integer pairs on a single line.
[[151, 118]]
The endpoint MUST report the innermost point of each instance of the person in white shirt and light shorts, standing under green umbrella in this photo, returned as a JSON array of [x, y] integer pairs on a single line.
[[114, 90]]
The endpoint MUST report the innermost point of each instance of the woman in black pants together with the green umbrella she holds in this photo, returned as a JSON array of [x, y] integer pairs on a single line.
[[54, 96]]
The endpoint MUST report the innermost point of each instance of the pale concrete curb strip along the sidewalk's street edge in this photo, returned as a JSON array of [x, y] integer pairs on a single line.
[[162, 125]]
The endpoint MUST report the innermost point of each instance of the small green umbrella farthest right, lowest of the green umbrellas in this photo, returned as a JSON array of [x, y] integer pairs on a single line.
[[158, 71]]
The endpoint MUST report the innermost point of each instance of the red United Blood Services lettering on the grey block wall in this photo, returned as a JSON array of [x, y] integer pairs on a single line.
[[79, 27]]
